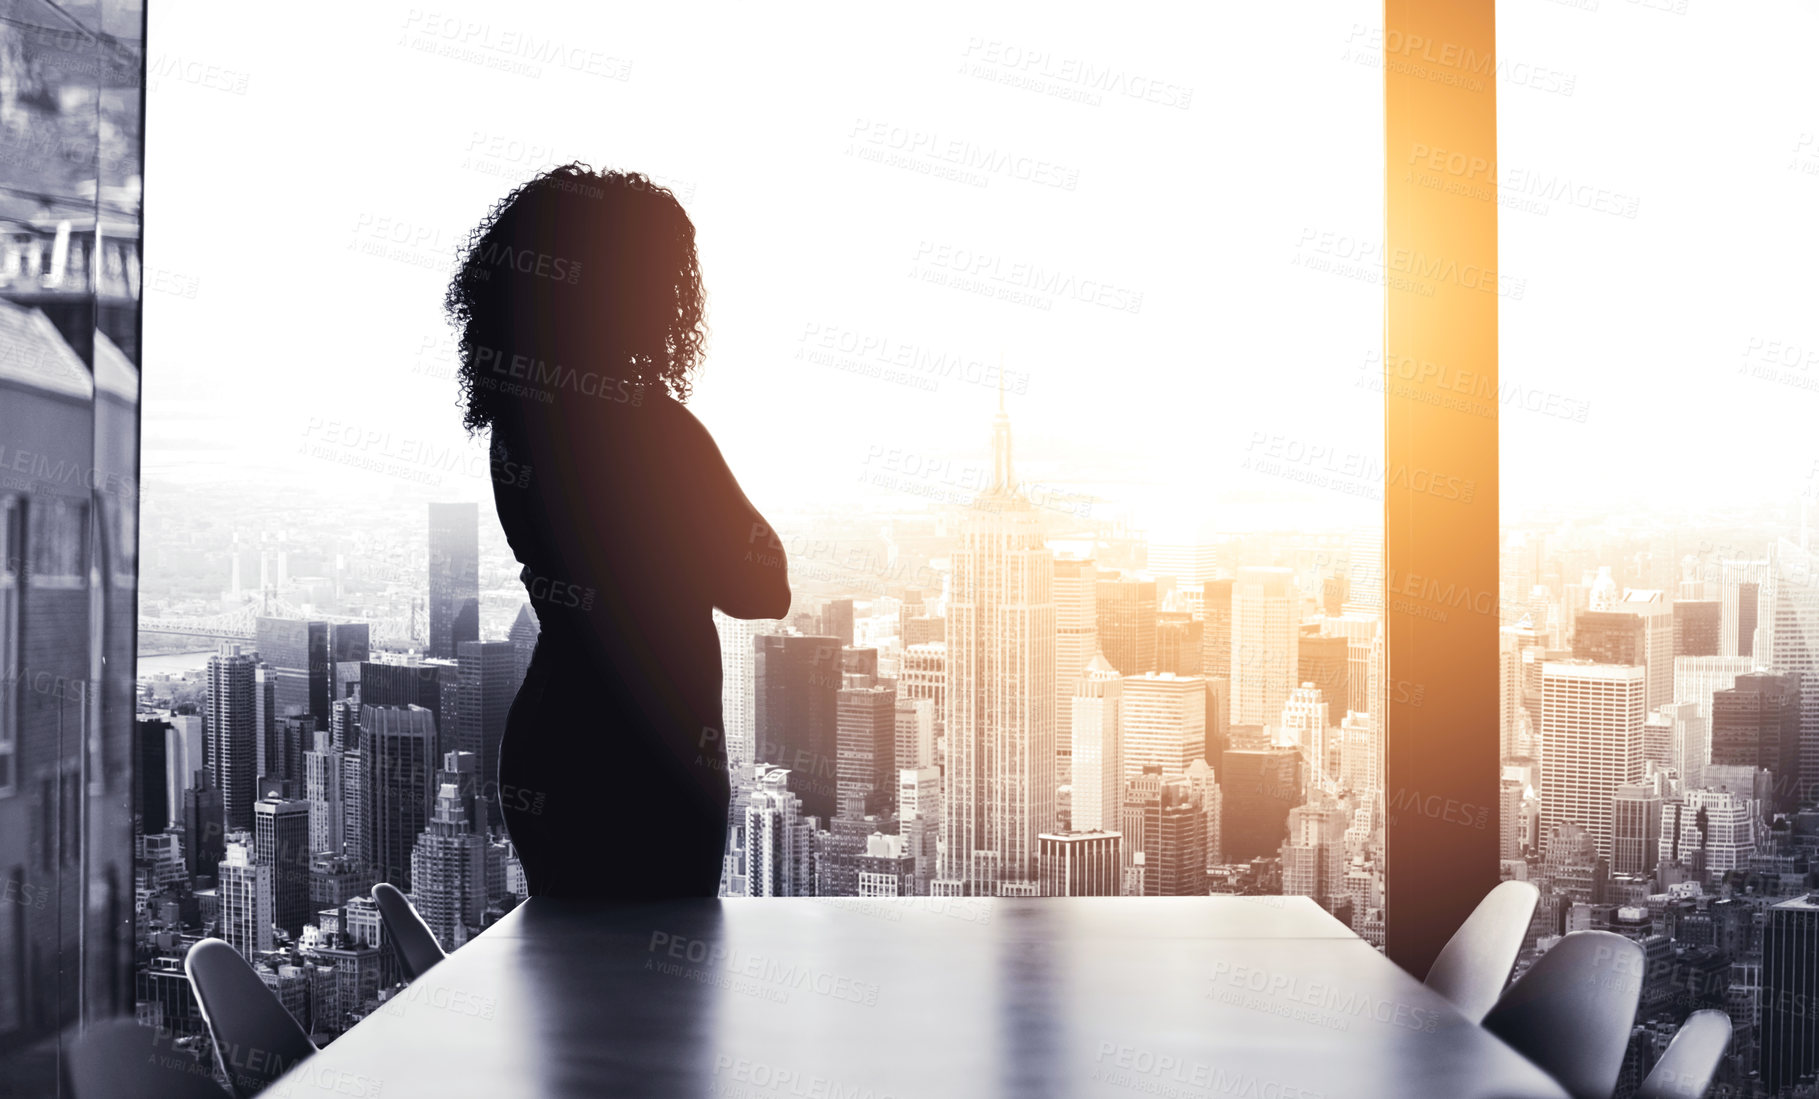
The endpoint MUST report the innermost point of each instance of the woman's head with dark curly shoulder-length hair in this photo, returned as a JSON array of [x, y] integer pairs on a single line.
[[576, 283]]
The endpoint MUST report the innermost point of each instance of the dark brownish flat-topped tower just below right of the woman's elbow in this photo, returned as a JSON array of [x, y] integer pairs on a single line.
[[798, 718]]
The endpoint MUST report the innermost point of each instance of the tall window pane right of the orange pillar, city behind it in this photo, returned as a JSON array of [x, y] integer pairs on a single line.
[[1660, 712]]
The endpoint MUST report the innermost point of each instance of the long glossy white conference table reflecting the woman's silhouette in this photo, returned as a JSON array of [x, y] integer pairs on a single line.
[[918, 998]]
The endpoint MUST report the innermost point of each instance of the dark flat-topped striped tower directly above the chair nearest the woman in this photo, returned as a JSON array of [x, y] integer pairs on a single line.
[[397, 749]]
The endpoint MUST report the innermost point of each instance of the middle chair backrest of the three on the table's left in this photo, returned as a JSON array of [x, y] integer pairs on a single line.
[[256, 1038]]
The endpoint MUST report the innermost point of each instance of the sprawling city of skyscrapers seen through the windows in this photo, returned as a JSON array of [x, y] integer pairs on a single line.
[[996, 696]]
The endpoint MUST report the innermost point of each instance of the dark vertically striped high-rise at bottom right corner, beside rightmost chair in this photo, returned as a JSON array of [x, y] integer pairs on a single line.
[[1791, 983]]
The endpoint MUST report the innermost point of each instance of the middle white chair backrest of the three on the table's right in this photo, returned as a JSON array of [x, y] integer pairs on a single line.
[[1573, 1011]]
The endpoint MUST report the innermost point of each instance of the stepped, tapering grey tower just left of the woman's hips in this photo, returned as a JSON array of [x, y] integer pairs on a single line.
[[448, 862]]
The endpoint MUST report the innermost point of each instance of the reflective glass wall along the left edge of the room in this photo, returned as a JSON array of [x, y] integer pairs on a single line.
[[70, 312]]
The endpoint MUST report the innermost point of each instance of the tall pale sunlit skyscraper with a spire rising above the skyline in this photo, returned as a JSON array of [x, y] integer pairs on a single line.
[[1001, 691]]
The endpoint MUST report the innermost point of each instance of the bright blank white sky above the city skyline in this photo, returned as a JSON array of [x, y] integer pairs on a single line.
[[1231, 143]]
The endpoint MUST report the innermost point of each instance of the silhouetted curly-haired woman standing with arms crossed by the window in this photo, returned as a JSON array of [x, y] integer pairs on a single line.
[[579, 305]]
